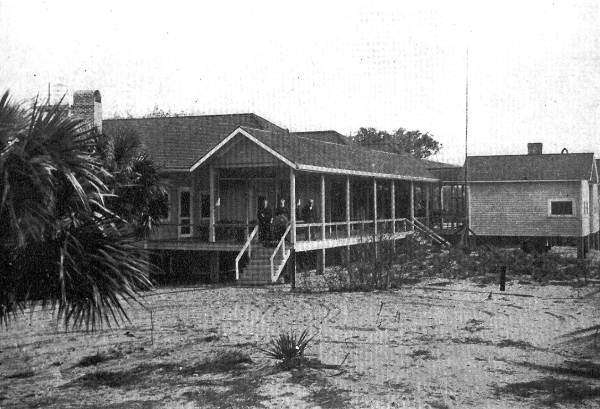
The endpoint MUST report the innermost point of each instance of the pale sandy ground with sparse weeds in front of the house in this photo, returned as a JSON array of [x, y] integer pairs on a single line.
[[422, 346]]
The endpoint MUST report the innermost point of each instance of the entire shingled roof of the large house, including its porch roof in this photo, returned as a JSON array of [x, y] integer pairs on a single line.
[[180, 142]]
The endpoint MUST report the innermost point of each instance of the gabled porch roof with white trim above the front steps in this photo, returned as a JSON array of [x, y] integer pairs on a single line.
[[319, 156]]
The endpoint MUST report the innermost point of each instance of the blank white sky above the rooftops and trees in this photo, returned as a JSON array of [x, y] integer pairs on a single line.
[[533, 66]]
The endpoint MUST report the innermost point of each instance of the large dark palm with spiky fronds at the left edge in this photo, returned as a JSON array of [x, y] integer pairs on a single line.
[[60, 244]]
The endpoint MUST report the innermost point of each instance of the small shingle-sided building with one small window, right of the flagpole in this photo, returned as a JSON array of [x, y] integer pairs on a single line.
[[538, 199]]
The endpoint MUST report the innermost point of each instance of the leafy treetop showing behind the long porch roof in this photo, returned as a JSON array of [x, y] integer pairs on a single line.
[[420, 145]]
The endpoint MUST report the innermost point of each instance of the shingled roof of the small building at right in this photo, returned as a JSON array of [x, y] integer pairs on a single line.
[[546, 167]]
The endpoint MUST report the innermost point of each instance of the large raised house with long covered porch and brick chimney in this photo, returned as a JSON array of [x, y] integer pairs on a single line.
[[219, 168]]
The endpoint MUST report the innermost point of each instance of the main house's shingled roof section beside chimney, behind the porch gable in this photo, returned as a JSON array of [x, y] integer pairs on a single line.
[[178, 142]]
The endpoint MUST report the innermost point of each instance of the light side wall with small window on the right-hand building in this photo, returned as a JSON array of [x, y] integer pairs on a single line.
[[521, 209]]
